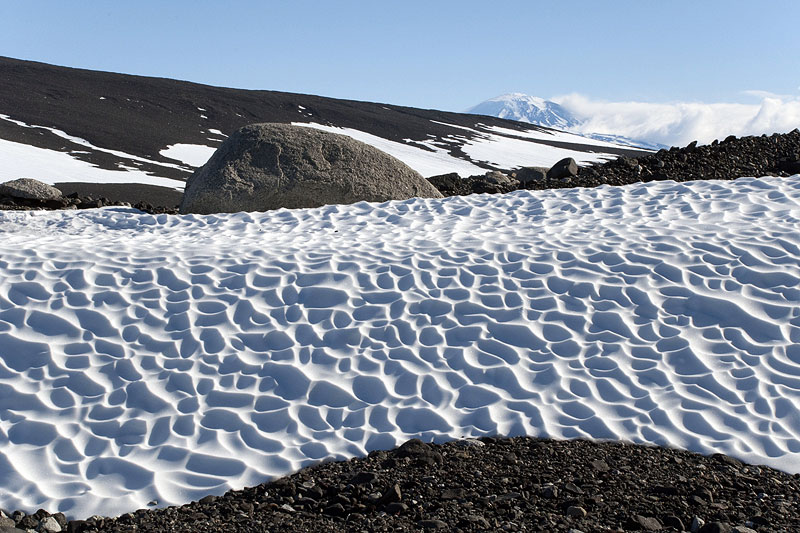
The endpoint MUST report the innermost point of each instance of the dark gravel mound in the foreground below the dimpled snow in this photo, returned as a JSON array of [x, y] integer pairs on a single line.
[[492, 484]]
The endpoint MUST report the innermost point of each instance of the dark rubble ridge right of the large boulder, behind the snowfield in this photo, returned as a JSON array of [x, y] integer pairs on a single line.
[[774, 155]]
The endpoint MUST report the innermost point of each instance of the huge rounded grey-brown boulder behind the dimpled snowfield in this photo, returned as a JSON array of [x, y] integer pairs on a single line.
[[269, 166]]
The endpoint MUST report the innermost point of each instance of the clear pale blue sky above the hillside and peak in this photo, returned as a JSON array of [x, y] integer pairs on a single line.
[[434, 53]]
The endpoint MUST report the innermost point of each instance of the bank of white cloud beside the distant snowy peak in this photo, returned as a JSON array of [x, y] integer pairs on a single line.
[[677, 124]]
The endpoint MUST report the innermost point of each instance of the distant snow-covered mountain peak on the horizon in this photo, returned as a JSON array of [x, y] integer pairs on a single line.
[[534, 110]]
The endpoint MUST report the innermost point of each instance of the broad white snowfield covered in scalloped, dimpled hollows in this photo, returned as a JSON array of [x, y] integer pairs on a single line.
[[165, 358]]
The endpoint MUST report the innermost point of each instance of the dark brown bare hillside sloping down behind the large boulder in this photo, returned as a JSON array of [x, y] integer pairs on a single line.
[[140, 115]]
